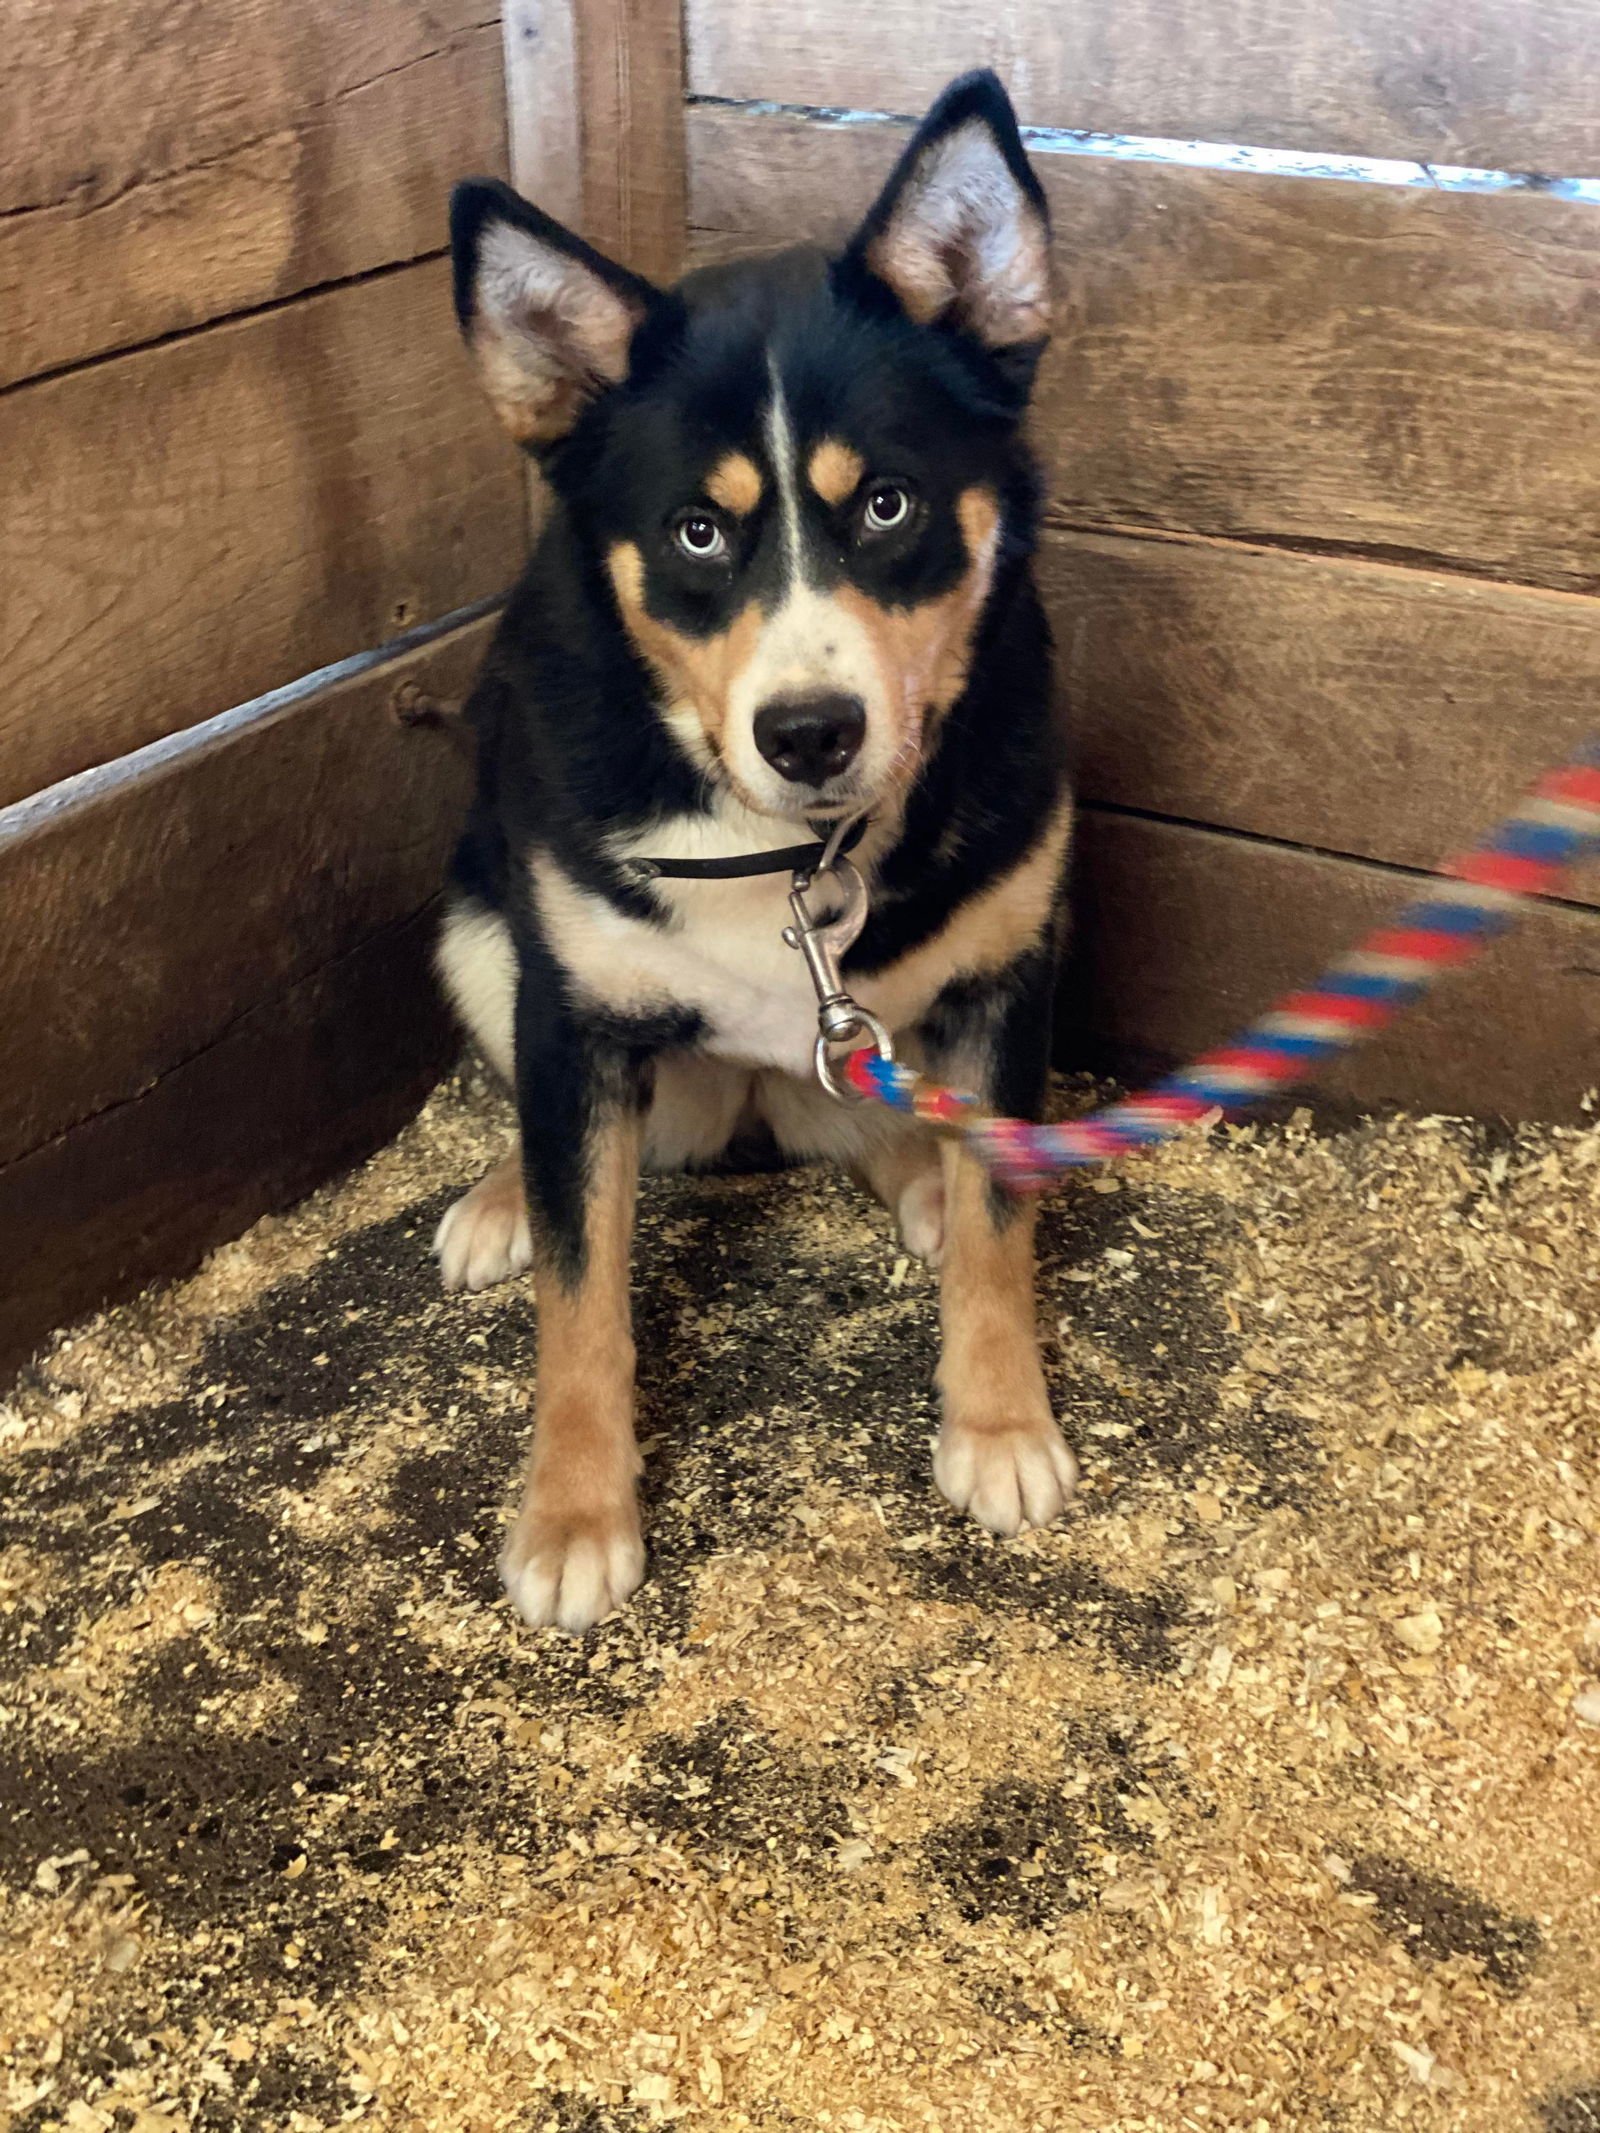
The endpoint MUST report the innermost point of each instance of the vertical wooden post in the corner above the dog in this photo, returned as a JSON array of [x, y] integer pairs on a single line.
[[596, 99]]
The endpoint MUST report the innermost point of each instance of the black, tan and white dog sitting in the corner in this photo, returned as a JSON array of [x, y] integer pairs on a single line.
[[784, 588]]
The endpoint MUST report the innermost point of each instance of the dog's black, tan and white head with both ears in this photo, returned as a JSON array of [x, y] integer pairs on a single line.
[[793, 472]]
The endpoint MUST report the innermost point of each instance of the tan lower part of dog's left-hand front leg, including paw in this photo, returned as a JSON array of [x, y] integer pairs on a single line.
[[575, 1550]]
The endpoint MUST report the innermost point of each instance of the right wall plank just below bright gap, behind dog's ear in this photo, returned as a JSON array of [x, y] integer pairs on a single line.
[[1407, 374]]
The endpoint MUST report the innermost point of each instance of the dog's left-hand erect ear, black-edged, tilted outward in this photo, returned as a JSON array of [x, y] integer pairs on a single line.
[[545, 315]]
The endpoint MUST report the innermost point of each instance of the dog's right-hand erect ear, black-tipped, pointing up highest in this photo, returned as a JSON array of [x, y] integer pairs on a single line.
[[961, 231]]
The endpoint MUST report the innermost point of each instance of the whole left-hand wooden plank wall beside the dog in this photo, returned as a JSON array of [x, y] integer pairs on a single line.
[[238, 445]]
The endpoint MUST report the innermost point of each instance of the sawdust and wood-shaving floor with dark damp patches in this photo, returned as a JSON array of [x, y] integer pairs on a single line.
[[1264, 1793]]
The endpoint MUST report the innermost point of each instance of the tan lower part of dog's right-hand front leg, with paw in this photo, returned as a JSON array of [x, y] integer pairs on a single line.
[[999, 1449]]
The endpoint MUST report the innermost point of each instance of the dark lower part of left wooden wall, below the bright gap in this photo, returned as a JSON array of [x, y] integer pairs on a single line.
[[217, 980]]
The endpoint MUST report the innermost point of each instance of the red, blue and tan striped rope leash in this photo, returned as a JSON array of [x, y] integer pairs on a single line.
[[1477, 897]]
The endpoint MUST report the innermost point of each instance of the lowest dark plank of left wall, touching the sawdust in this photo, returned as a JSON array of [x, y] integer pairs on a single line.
[[291, 1095]]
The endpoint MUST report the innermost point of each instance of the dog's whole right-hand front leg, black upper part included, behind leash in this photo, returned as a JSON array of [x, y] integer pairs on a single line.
[[999, 1449]]
